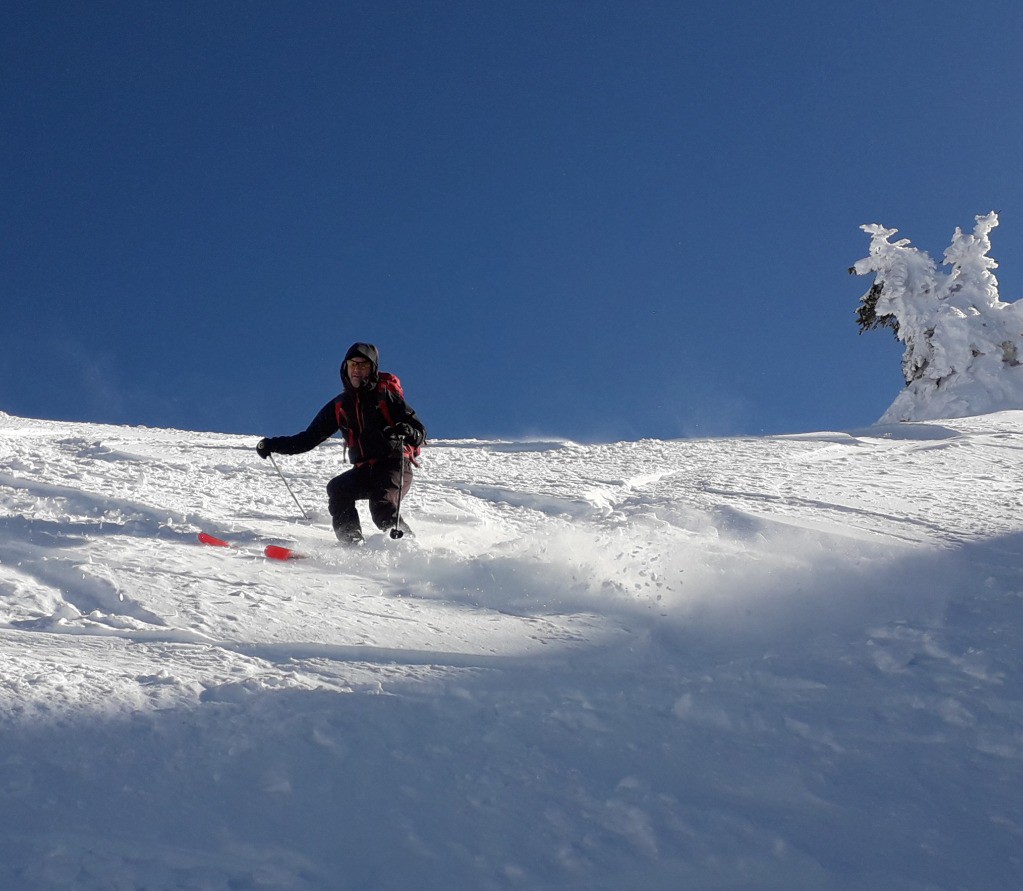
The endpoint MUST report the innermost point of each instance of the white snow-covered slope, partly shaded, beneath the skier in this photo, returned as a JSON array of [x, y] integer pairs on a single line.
[[786, 662]]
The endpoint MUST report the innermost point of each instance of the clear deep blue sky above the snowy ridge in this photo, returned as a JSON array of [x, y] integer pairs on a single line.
[[597, 220]]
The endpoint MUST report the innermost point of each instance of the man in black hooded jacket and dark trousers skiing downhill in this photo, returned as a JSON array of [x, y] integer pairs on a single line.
[[383, 436]]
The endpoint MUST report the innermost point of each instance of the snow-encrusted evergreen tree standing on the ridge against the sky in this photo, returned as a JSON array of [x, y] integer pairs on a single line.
[[962, 342]]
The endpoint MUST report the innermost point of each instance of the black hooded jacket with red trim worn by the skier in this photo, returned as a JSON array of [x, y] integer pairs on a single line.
[[362, 416]]
